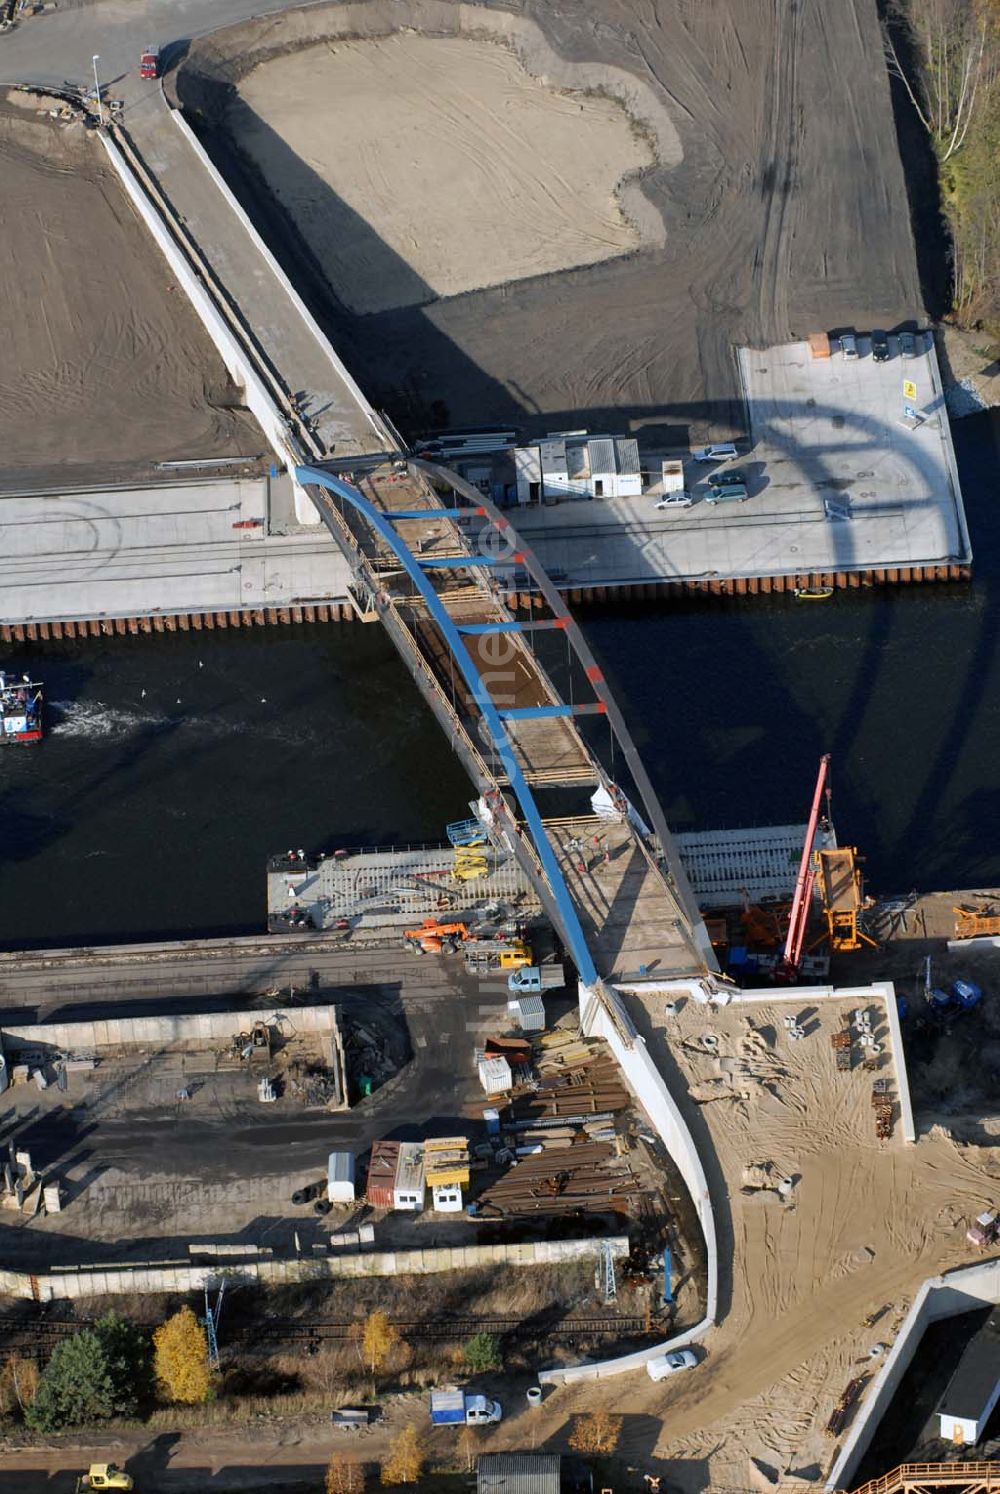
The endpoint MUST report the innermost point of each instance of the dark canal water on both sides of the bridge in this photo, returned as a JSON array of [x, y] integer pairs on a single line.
[[174, 766]]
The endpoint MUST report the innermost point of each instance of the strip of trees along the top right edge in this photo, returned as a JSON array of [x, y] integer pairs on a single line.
[[947, 55]]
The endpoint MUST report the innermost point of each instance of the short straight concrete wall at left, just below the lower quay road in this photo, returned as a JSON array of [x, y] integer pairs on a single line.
[[210, 1027]]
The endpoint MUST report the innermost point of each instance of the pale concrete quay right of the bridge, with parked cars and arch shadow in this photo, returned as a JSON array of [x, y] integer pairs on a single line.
[[841, 492]]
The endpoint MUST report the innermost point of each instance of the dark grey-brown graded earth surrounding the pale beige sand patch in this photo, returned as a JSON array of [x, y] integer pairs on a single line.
[[783, 208]]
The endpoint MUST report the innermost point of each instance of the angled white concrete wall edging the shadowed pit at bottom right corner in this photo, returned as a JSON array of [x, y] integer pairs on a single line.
[[939, 1298]]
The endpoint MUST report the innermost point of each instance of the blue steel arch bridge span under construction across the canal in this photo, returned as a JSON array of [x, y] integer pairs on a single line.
[[558, 776]]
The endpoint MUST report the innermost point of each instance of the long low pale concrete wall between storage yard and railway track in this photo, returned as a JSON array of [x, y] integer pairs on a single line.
[[119, 1281]]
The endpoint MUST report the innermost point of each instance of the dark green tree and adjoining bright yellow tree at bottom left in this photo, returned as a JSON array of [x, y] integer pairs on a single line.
[[110, 1371]]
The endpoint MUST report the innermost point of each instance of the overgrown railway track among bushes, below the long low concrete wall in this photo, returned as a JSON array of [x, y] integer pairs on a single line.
[[40, 1336]]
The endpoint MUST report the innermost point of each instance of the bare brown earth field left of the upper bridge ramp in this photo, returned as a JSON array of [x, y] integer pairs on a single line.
[[105, 370]]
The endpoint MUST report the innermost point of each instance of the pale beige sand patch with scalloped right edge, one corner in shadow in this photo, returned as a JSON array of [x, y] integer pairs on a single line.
[[437, 168]]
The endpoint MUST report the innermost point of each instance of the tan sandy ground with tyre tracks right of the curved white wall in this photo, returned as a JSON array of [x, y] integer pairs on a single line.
[[866, 1224]]
